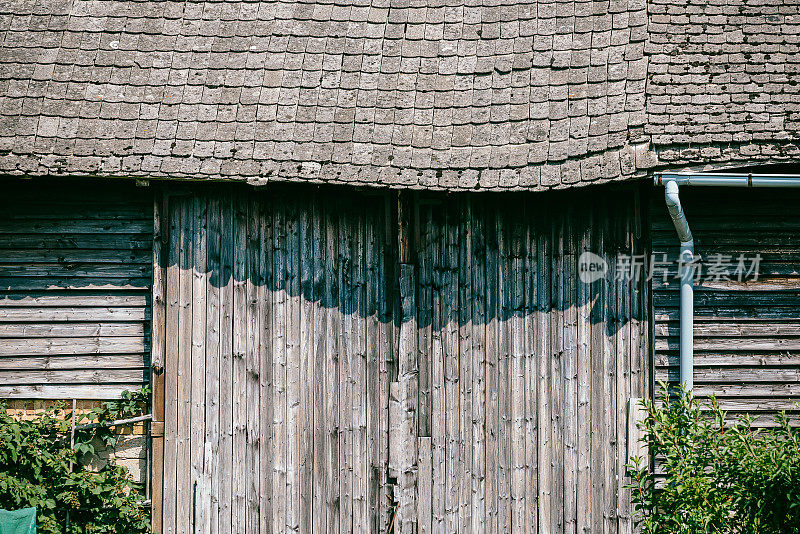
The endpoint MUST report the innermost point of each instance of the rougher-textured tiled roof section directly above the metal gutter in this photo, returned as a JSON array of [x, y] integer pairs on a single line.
[[723, 80]]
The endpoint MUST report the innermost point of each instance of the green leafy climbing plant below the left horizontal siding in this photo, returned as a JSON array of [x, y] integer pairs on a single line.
[[38, 468]]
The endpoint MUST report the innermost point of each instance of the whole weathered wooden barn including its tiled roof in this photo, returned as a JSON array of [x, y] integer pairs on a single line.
[[391, 266]]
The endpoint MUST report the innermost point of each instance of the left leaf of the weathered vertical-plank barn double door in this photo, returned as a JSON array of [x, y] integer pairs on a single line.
[[275, 340]]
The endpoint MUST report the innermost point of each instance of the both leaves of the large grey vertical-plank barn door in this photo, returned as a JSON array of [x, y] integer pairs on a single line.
[[343, 362]]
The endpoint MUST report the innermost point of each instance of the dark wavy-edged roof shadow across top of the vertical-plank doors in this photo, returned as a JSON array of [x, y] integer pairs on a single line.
[[478, 256]]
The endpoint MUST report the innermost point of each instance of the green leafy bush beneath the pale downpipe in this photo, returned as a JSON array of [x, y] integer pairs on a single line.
[[717, 478]]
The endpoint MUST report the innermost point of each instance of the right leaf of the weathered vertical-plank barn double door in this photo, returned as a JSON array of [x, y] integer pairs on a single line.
[[525, 372]]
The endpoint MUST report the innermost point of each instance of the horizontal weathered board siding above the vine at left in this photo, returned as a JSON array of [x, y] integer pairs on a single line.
[[75, 284]]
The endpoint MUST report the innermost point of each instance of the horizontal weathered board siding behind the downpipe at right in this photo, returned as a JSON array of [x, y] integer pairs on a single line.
[[747, 334]]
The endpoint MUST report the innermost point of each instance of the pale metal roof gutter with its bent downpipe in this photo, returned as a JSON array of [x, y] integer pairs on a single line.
[[671, 182]]
